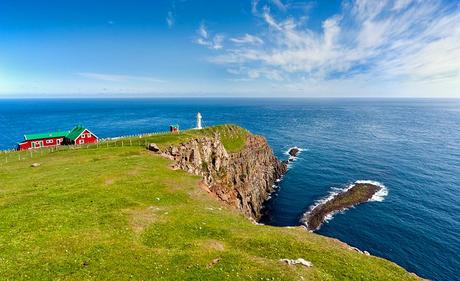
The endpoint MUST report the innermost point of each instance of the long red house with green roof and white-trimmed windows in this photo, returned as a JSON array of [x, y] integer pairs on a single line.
[[78, 135]]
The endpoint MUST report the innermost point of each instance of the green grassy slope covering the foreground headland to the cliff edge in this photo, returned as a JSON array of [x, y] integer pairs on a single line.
[[119, 212]]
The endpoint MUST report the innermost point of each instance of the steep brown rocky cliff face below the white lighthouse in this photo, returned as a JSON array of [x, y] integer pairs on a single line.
[[242, 179]]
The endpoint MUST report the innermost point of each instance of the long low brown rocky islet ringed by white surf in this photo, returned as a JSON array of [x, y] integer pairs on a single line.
[[358, 193]]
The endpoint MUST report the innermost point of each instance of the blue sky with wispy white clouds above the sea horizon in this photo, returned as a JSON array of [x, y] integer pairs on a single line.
[[319, 48]]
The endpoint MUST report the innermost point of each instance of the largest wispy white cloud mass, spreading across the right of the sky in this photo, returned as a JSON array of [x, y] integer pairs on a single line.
[[401, 40]]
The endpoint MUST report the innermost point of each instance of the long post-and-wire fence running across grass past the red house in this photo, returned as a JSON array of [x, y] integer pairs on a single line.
[[8, 156]]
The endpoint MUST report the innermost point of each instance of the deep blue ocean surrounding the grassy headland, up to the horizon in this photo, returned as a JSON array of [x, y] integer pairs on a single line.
[[411, 146]]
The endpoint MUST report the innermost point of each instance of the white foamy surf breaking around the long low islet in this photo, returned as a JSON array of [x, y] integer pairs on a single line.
[[379, 196]]
